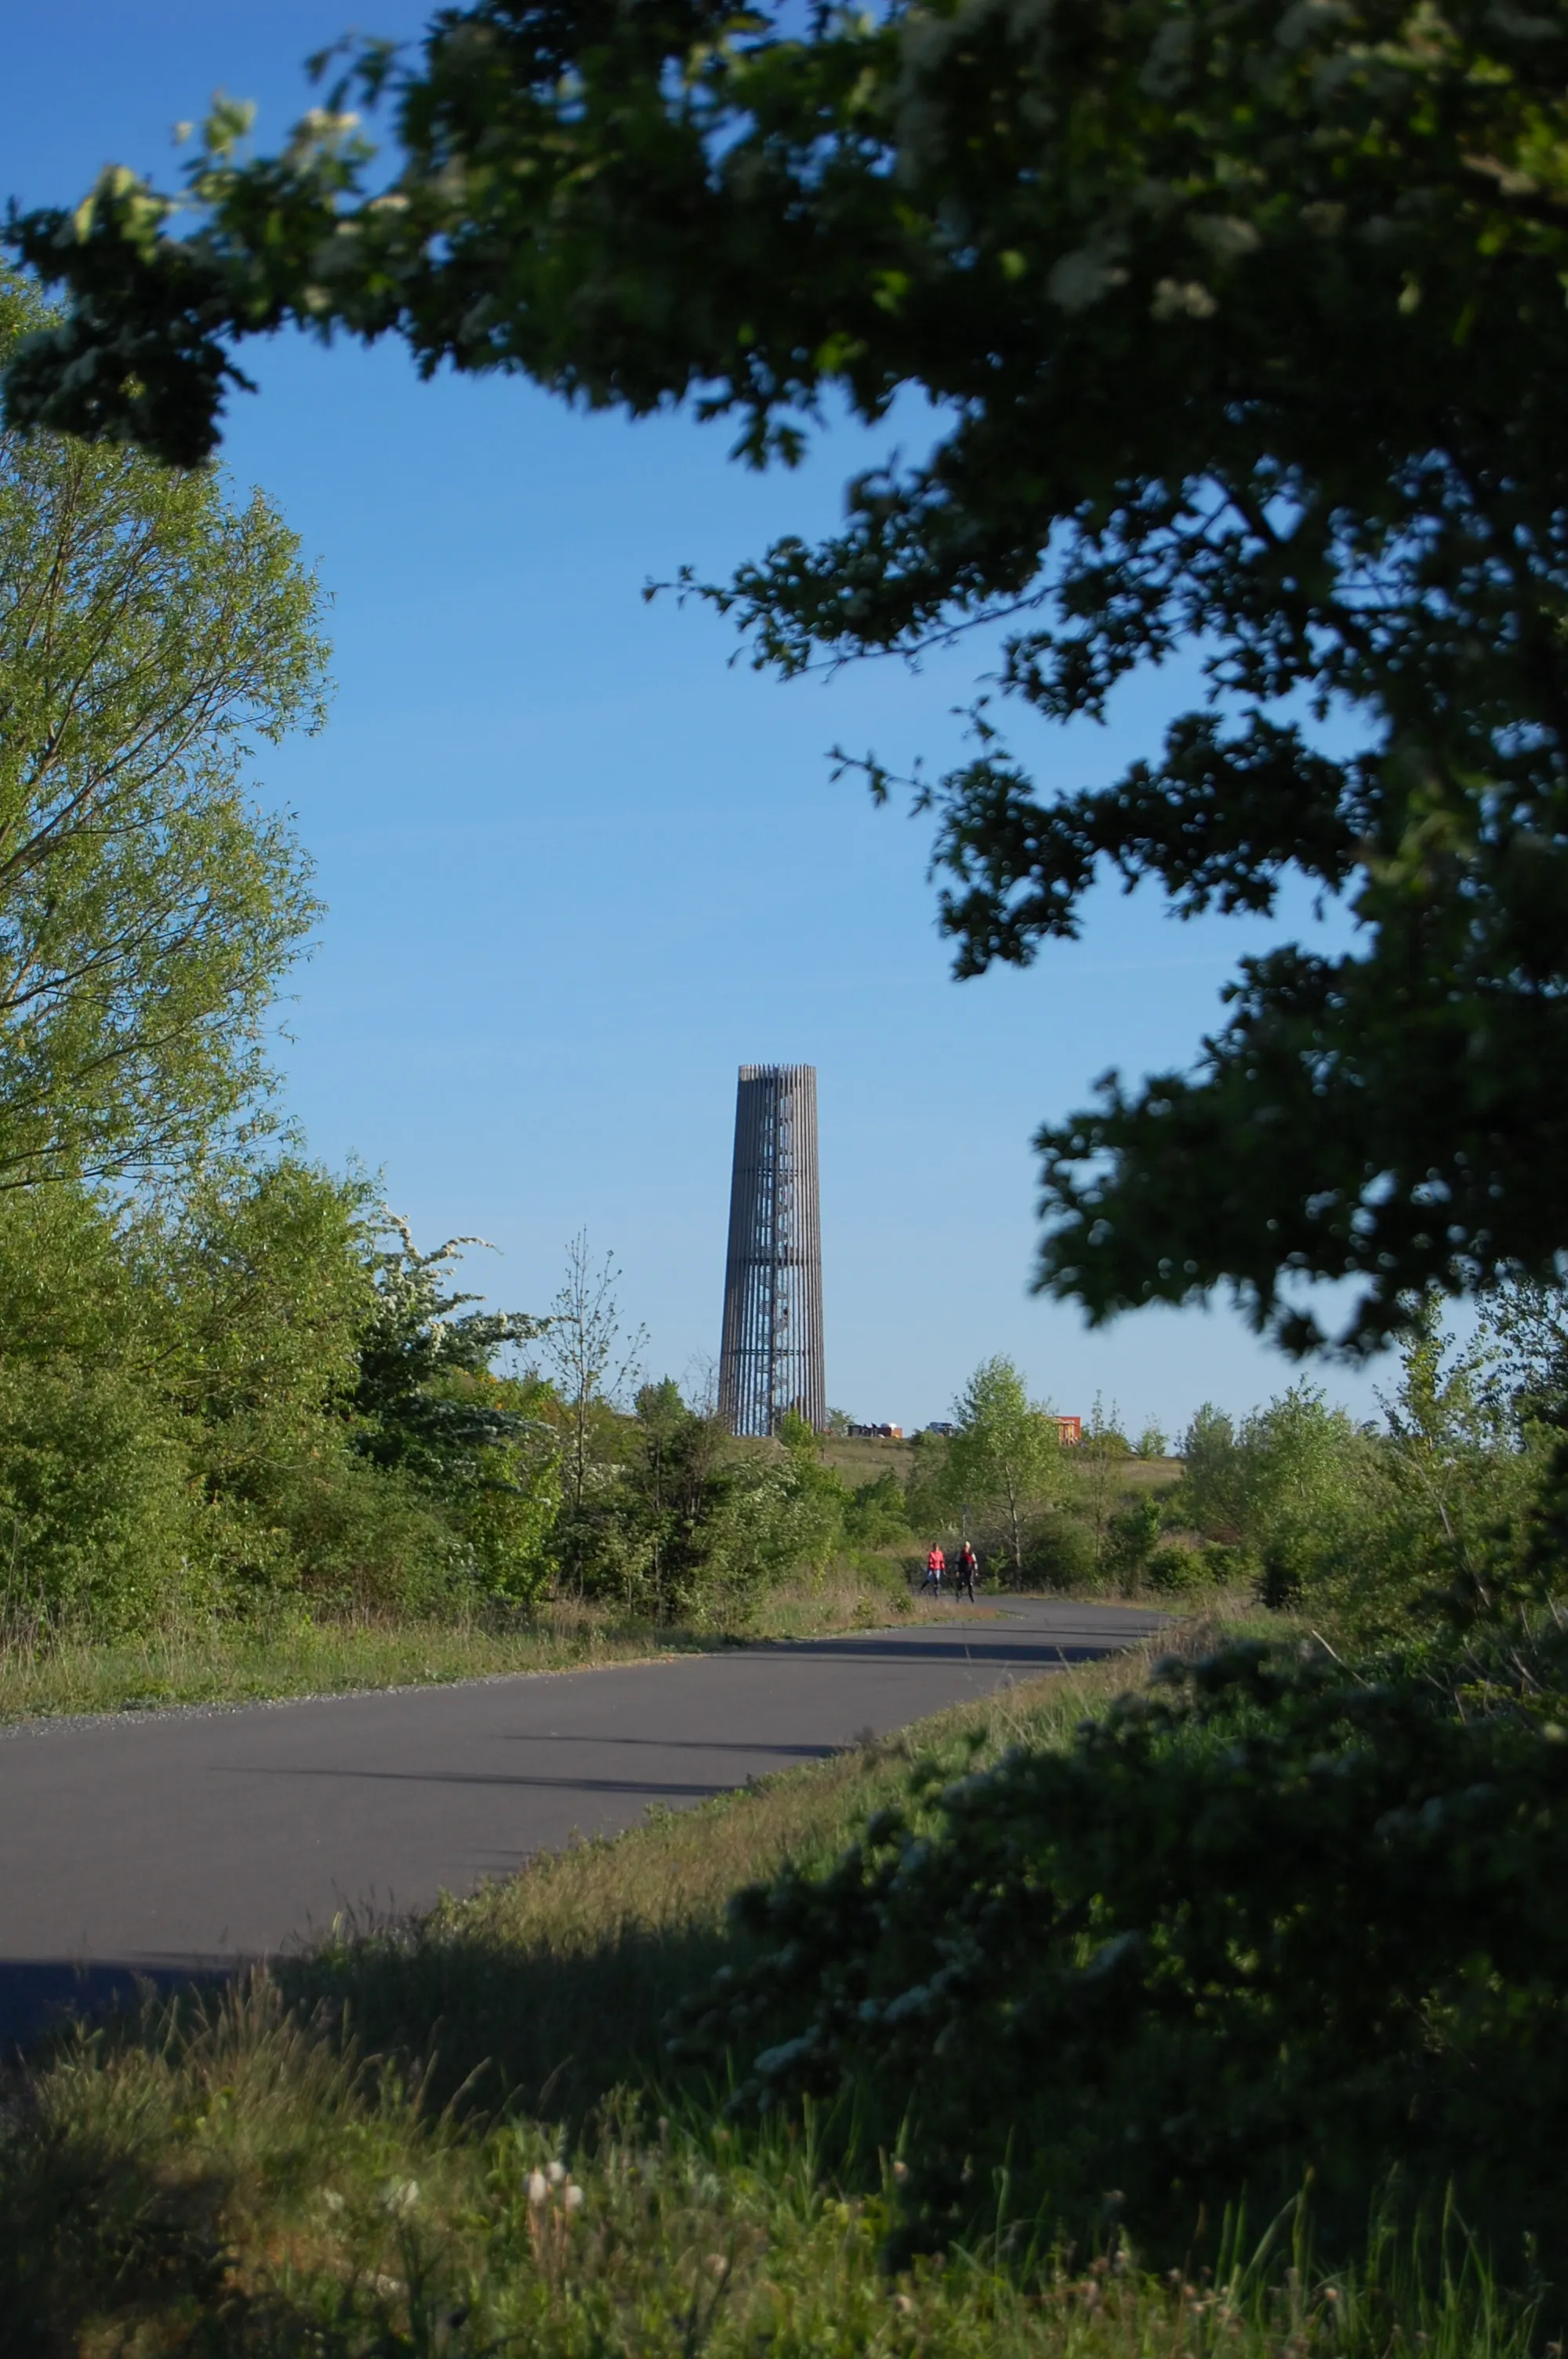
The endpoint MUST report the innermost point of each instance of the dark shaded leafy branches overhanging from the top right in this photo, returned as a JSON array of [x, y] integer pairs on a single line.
[[1246, 334]]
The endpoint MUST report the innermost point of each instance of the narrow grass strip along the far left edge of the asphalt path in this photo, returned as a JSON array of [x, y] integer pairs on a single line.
[[249, 1664]]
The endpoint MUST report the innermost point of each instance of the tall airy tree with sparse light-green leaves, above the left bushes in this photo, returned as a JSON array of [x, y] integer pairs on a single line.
[[150, 629]]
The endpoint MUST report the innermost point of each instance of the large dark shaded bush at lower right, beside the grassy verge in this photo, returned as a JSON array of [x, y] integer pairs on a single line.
[[1260, 1924]]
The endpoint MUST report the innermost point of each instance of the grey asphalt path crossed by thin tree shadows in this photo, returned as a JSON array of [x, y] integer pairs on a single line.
[[183, 1844]]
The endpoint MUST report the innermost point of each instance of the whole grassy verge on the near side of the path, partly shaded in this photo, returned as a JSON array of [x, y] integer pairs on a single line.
[[452, 2138]]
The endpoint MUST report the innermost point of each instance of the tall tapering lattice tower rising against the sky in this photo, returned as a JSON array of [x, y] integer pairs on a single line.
[[772, 1355]]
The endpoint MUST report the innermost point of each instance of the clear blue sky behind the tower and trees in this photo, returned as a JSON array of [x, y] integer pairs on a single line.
[[579, 867]]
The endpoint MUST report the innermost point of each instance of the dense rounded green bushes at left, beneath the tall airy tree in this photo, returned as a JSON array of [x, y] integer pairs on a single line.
[[209, 1405]]
